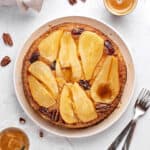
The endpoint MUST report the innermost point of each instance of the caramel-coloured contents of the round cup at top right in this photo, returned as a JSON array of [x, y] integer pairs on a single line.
[[121, 6]]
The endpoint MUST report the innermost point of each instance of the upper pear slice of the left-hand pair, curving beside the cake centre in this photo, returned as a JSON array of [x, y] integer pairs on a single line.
[[43, 73]]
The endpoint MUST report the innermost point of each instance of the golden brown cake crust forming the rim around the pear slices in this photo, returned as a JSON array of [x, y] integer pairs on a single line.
[[103, 110]]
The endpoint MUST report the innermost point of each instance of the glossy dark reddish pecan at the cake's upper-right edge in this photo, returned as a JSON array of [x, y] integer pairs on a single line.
[[109, 47]]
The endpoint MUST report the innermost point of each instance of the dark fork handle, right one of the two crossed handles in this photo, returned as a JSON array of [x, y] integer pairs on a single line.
[[129, 136]]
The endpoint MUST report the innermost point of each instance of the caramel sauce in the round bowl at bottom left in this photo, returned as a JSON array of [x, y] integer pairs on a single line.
[[13, 139]]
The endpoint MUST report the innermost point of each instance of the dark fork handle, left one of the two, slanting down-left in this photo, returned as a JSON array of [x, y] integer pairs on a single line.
[[120, 137]]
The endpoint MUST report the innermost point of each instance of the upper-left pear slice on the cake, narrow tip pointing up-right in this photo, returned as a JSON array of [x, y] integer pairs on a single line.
[[49, 47]]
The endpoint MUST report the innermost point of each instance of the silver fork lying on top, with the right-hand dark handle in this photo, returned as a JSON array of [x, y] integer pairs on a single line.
[[140, 109]]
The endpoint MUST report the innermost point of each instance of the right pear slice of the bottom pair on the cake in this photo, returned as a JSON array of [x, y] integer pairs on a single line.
[[84, 107]]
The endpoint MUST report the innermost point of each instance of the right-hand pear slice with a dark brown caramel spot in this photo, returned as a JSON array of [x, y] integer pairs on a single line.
[[106, 86]]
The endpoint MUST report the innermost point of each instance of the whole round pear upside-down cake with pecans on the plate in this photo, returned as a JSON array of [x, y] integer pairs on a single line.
[[74, 75]]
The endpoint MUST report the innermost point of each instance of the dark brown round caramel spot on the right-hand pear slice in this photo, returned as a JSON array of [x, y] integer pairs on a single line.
[[104, 91]]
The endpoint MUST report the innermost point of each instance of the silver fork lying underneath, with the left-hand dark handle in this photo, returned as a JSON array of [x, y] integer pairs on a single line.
[[143, 95]]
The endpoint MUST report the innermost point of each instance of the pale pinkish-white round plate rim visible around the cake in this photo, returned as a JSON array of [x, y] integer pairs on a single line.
[[76, 133]]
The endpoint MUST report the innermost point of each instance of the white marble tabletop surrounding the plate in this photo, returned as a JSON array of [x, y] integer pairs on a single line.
[[136, 31]]
